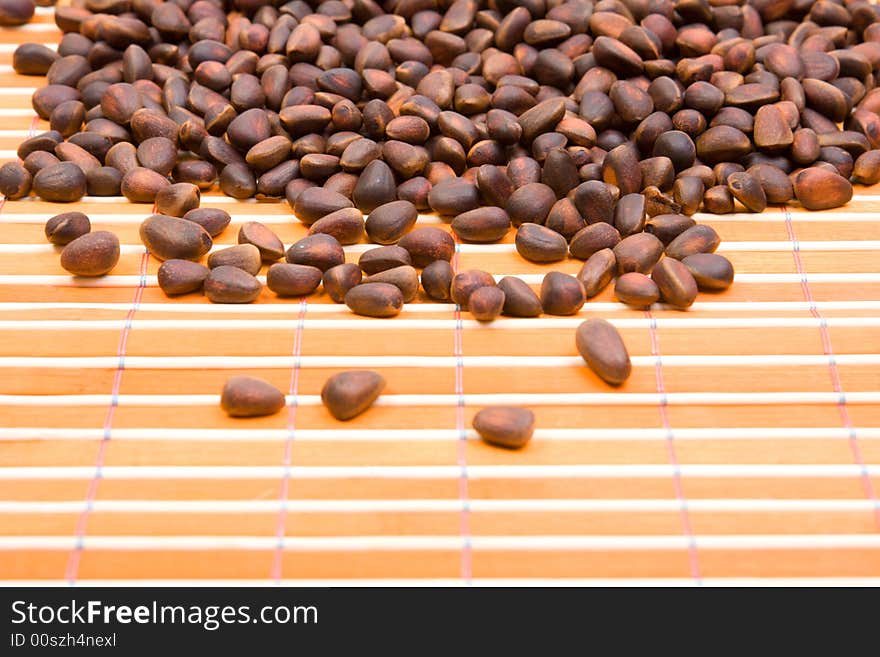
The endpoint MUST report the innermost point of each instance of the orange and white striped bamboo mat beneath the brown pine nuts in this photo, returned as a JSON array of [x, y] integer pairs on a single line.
[[745, 447]]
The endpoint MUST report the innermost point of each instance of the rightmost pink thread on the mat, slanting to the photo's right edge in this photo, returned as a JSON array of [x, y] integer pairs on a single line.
[[833, 371]]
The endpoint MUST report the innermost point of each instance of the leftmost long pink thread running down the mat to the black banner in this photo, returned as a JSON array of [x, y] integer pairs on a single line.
[[73, 561]]
